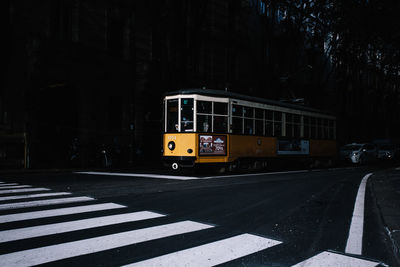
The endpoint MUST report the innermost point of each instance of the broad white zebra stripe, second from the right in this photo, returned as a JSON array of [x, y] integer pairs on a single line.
[[212, 253]]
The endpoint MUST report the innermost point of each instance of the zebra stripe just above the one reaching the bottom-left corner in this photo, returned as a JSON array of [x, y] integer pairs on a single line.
[[57, 228]]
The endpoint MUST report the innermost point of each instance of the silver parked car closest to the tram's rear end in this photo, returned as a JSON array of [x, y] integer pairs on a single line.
[[359, 153]]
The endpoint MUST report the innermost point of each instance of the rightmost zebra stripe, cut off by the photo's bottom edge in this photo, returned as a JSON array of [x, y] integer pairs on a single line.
[[334, 260]]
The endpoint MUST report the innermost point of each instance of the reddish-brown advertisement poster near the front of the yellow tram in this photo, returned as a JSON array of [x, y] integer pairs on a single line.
[[212, 145]]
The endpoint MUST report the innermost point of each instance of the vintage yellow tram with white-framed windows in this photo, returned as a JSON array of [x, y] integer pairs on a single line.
[[203, 126]]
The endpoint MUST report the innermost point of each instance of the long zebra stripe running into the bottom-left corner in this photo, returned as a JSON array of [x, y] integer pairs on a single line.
[[87, 246]]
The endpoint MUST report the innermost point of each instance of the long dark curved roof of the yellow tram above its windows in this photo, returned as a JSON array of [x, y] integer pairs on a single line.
[[220, 93]]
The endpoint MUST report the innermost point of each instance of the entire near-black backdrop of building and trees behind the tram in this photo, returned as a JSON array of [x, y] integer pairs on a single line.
[[97, 70]]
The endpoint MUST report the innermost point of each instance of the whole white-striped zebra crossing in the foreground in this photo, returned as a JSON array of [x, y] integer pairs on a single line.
[[61, 205]]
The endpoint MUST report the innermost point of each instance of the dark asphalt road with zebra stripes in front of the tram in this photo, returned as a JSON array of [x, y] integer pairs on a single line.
[[254, 219]]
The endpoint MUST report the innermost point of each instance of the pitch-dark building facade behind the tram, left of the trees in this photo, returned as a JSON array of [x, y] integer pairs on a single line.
[[95, 71]]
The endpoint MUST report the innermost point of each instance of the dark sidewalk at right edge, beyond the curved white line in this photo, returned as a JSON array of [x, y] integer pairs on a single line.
[[386, 189]]
